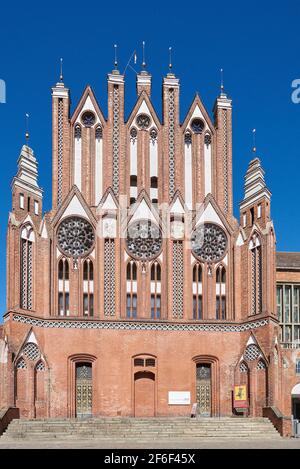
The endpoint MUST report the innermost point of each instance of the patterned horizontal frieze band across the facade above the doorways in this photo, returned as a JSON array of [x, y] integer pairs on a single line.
[[138, 326]]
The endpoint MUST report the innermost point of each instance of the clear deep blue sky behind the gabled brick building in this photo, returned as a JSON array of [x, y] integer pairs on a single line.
[[257, 43]]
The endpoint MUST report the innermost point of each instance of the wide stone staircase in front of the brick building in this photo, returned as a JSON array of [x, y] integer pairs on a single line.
[[122, 429]]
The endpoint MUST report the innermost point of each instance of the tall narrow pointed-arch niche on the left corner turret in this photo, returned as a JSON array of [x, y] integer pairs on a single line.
[[26, 268]]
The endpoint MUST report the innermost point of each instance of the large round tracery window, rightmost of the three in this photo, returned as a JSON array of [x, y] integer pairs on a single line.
[[209, 243]]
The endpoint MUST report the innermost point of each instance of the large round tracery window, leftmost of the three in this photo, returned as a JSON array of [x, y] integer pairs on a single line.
[[75, 236]]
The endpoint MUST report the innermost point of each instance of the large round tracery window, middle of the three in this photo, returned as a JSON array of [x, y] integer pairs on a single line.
[[144, 240]]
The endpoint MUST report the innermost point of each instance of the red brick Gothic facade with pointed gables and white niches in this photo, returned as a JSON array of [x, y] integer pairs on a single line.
[[139, 293]]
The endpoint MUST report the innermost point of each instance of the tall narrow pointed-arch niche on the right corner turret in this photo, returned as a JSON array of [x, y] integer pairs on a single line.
[[256, 275]]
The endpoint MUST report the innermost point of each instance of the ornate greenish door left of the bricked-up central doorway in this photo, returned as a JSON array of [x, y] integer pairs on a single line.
[[84, 390]]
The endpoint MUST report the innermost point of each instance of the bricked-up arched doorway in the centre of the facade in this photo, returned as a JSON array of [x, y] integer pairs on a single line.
[[144, 394]]
